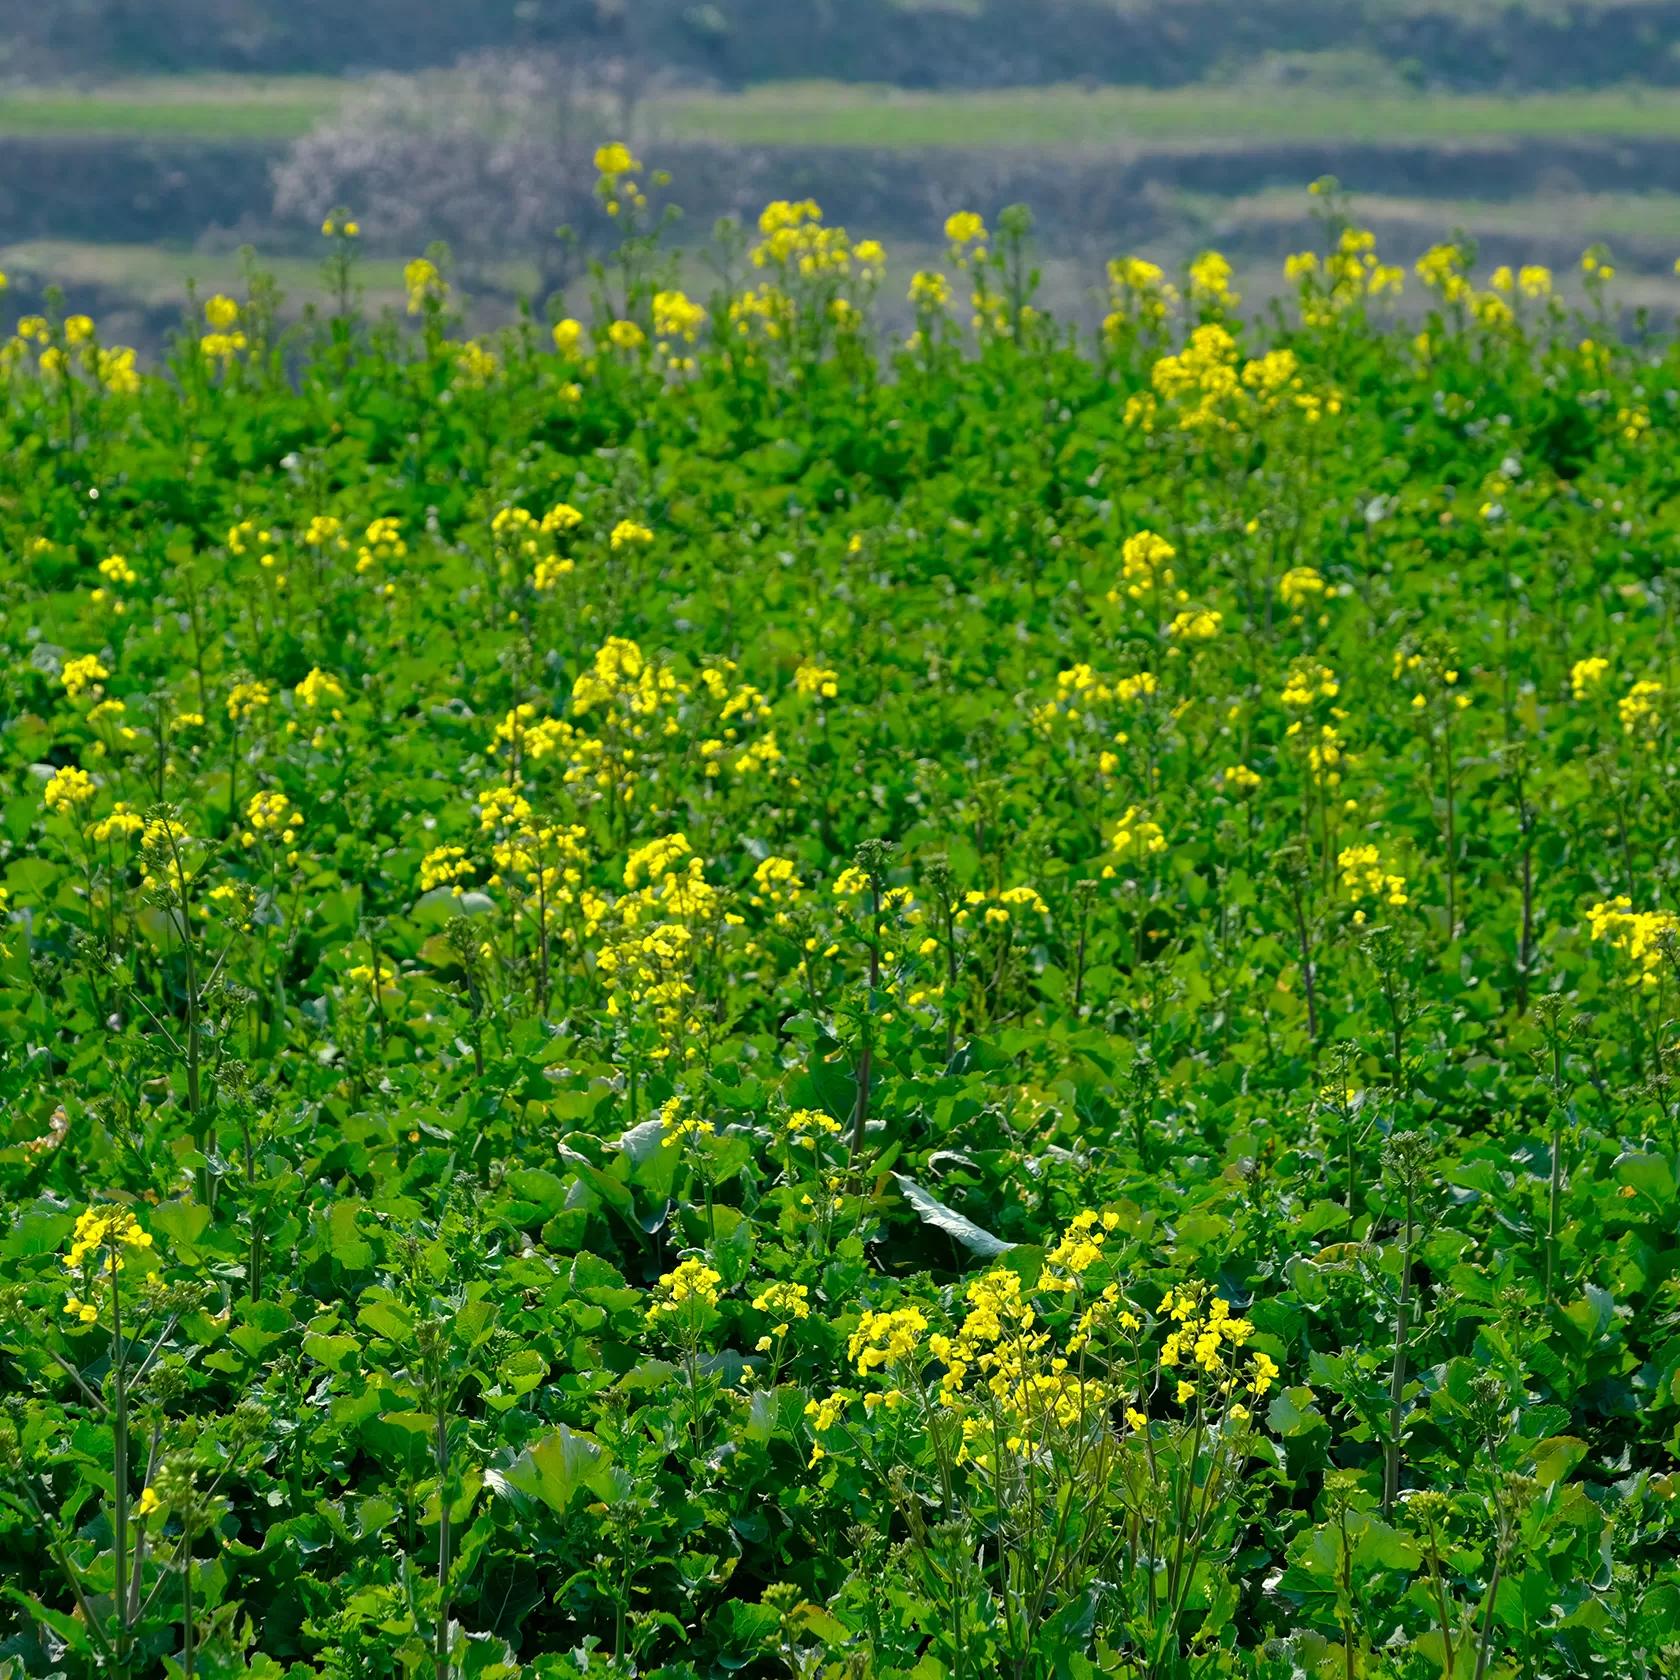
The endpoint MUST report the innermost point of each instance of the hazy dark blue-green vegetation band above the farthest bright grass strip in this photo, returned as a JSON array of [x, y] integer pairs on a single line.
[[1483, 45]]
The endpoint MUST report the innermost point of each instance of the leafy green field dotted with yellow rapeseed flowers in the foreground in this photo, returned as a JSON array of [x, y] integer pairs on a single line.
[[691, 999]]
